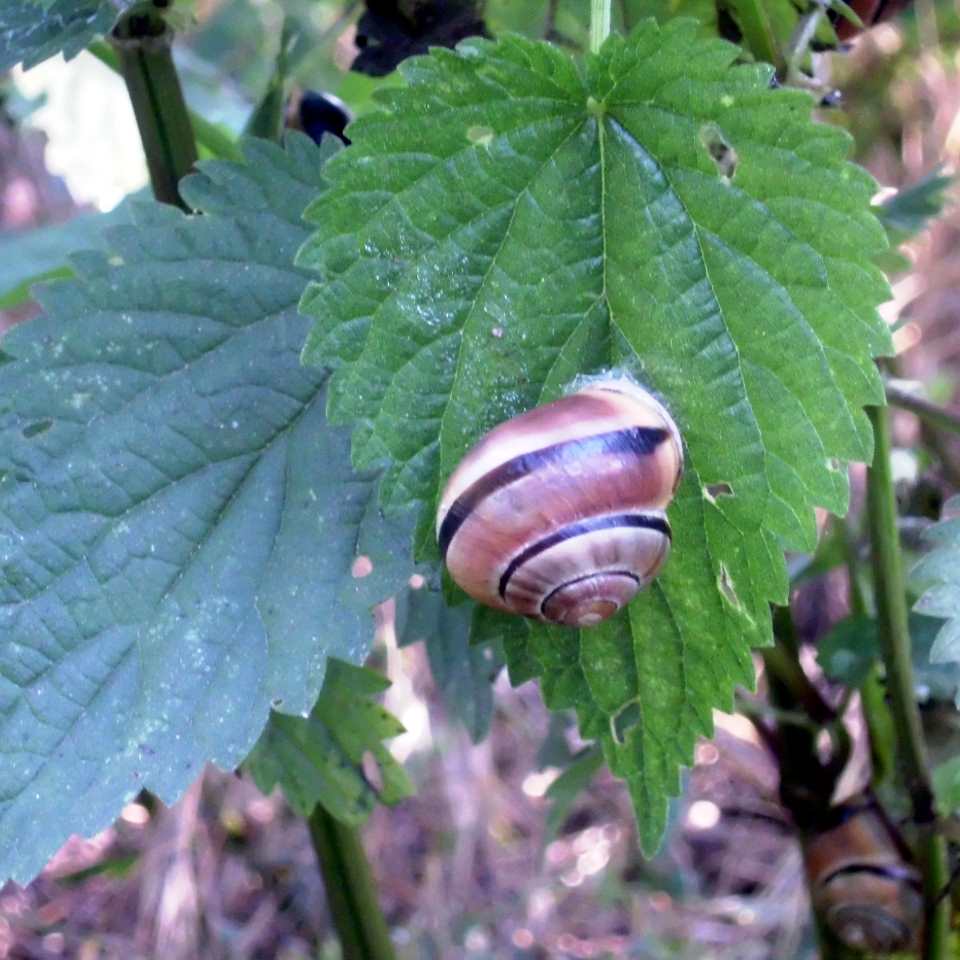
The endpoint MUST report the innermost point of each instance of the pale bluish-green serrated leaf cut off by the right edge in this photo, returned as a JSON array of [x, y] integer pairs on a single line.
[[938, 573]]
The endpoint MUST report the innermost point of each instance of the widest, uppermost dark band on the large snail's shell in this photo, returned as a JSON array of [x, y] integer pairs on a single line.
[[639, 441]]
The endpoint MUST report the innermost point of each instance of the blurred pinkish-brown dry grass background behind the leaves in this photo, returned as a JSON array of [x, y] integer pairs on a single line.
[[465, 868]]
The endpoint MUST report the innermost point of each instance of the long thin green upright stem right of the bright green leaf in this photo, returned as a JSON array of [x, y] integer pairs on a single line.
[[895, 649]]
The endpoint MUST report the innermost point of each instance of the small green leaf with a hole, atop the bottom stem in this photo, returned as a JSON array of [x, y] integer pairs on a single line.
[[320, 758]]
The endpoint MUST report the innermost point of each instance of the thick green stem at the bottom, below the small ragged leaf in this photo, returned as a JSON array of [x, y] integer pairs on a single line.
[[350, 888]]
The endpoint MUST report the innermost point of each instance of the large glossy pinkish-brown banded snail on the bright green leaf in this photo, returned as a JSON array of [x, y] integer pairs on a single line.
[[559, 514]]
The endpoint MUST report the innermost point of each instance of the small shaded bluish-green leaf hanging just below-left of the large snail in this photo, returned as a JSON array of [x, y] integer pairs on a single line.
[[463, 673]]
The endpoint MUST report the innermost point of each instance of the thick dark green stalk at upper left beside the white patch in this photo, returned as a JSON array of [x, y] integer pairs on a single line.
[[143, 43]]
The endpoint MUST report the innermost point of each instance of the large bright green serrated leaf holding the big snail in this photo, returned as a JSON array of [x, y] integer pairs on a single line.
[[512, 219]]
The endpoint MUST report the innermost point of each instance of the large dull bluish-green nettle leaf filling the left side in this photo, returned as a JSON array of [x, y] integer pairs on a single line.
[[177, 520]]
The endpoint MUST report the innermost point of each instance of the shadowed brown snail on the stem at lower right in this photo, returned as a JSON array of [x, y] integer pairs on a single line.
[[861, 879]]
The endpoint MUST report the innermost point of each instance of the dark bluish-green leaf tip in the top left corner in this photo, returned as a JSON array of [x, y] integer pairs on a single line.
[[65, 26]]
